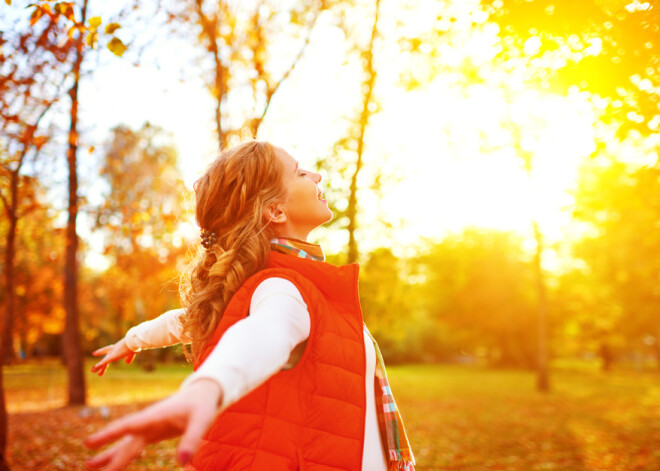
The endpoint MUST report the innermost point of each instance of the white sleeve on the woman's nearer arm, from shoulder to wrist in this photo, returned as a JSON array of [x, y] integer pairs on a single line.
[[257, 347]]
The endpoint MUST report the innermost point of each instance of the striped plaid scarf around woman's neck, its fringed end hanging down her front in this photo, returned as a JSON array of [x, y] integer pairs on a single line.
[[392, 432]]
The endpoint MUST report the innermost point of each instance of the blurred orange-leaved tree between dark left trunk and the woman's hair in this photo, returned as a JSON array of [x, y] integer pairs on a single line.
[[139, 217]]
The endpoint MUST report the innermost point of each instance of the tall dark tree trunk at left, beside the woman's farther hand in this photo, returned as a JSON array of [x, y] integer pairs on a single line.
[[71, 337]]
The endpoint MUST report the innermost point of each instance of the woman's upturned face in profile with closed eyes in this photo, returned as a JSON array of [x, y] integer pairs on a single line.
[[304, 208]]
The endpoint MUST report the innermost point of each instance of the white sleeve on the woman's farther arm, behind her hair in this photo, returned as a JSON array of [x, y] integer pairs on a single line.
[[163, 331]]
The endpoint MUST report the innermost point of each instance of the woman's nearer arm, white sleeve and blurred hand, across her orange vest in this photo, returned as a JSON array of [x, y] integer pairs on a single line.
[[278, 321]]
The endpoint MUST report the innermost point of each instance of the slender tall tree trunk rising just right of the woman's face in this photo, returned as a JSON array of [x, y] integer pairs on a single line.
[[351, 210]]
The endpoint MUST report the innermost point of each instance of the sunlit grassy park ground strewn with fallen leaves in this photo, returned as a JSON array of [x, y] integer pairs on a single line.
[[457, 417]]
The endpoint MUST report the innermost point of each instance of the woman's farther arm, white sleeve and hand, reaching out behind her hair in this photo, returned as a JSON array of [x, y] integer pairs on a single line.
[[163, 331]]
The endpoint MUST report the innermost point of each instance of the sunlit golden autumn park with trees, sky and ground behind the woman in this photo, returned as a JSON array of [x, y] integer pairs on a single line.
[[492, 165]]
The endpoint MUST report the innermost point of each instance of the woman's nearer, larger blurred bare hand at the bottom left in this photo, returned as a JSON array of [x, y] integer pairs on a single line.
[[188, 412]]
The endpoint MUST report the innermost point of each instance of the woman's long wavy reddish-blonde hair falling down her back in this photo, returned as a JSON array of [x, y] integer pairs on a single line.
[[231, 201]]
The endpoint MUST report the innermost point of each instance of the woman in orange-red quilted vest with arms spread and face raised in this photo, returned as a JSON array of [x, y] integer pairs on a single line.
[[286, 375]]
